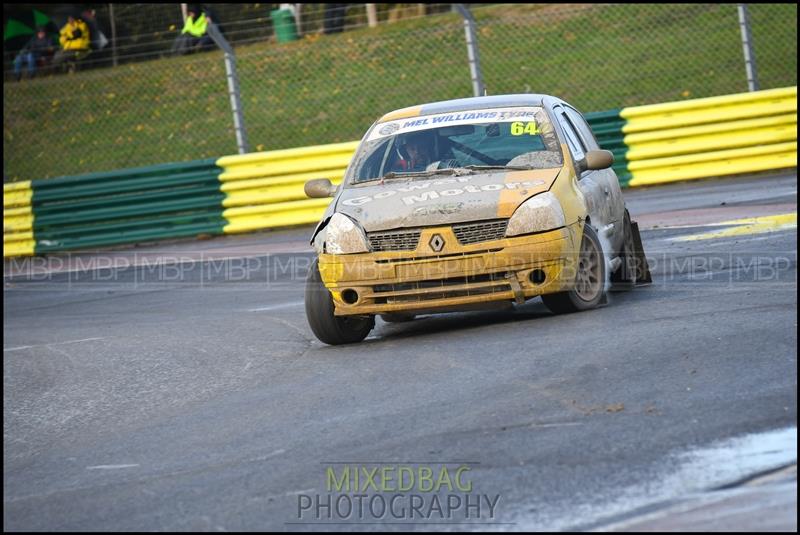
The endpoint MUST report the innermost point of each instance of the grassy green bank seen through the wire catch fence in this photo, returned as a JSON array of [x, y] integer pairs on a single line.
[[328, 88]]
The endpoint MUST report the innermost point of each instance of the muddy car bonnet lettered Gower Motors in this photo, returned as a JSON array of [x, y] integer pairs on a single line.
[[442, 200]]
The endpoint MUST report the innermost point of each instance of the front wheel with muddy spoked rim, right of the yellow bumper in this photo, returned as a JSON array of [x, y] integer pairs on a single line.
[[590, 279]]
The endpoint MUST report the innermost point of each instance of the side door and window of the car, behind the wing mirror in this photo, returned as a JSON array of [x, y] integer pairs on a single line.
[[600, 187]]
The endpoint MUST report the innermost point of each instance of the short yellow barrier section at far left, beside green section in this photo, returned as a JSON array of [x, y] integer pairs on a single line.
[[18, 219]]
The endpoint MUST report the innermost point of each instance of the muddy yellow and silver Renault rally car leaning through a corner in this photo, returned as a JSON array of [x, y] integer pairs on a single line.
[[469, 203]]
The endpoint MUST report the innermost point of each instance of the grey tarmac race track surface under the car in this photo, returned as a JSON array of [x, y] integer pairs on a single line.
[[178, 391]]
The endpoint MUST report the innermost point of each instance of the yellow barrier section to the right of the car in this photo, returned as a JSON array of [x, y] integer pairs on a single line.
[[710, 137]]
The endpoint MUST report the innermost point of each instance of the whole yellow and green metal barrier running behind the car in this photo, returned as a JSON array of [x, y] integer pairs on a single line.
[[653, 144]]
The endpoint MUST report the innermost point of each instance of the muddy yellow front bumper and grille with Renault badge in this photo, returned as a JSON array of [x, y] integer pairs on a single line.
[[454, 278]]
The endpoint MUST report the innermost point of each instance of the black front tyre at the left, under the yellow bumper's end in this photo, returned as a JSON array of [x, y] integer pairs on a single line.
[[333, 330]]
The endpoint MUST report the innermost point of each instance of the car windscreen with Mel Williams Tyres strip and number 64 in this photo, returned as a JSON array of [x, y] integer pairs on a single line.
[[497, 138]]
